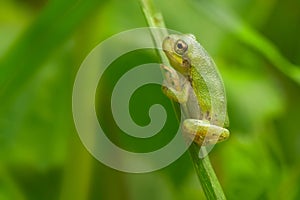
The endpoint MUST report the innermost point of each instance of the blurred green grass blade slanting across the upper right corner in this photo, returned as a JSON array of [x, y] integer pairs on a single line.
[[227, 20]]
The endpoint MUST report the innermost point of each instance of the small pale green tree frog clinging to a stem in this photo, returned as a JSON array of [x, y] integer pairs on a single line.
[[194, 81]]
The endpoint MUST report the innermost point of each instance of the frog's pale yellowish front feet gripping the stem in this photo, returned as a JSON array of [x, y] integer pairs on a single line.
[[174, 87]]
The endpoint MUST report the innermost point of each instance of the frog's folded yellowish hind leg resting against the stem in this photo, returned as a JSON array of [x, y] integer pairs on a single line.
[[204, 133]]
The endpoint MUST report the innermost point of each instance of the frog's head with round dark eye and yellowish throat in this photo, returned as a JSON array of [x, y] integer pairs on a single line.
[[178, 49]]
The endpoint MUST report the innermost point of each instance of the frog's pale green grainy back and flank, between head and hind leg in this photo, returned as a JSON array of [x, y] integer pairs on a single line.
[[208, 85]]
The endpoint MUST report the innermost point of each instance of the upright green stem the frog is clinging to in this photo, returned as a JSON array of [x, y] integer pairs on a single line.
[[203, 167]]
